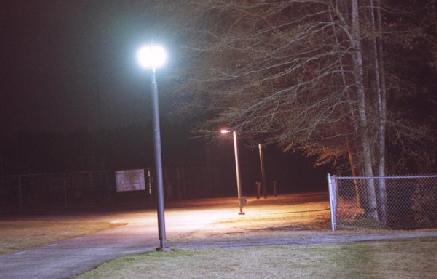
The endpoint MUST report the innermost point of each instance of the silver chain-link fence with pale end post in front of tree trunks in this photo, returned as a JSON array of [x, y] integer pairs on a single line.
[[392, 202]]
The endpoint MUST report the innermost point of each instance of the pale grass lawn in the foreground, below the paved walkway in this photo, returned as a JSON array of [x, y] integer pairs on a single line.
[[388, 259]]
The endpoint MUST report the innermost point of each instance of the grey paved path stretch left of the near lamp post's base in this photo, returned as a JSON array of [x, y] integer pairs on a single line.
[[70, 257]]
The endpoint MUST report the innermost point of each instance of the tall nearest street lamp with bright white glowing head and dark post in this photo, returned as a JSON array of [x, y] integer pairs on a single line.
[[151, 57]]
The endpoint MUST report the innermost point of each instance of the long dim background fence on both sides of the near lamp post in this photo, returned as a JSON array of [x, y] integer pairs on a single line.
[[86, 189]]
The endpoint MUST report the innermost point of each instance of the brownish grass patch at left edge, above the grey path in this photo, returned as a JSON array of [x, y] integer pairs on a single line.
[[19, 234]]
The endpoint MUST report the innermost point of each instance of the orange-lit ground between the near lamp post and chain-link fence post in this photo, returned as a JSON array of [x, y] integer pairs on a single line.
[[219, 217]]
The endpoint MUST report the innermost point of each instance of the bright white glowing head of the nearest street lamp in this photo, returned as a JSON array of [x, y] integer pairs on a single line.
[[151, 56]]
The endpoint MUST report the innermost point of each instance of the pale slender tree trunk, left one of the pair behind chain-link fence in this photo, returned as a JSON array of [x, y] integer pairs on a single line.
[[357, 59]]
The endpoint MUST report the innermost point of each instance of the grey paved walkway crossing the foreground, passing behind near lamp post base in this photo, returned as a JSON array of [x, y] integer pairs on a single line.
[[68, 258]]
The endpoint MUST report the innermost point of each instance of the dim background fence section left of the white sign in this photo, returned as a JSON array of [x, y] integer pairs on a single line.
[[46, 191]]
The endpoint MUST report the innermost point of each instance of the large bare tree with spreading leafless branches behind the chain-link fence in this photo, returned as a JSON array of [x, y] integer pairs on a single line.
[[308, 75]]
